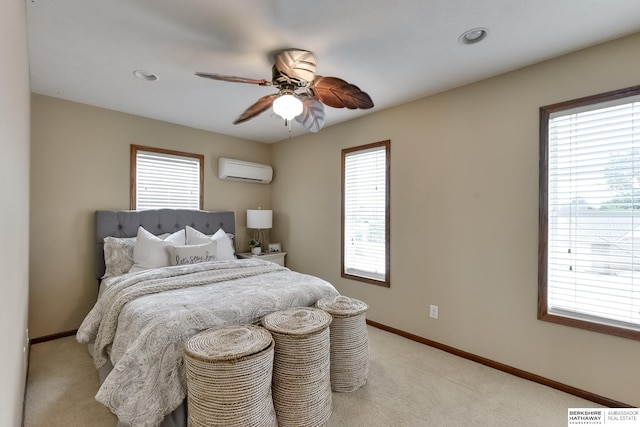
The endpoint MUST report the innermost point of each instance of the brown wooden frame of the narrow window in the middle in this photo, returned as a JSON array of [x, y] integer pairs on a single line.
[[387, 275]]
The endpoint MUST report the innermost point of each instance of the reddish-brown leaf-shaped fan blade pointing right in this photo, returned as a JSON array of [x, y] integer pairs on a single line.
[[338, 93]]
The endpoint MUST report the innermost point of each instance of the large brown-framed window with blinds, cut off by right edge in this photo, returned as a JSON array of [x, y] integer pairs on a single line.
[[589, 238]]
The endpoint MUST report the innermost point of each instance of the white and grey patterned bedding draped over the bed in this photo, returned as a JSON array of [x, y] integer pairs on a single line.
[[143, 320]]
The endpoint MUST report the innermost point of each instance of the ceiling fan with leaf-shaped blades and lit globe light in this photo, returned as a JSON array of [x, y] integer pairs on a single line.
[[301, 93]]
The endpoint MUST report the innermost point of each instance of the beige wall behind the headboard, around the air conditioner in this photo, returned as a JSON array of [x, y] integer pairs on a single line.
[[80, 163]]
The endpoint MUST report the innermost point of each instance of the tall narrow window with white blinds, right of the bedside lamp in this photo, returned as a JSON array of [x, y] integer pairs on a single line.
[[365, 213]]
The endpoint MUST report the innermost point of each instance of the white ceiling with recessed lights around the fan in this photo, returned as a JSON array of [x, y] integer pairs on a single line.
[[396, 51]]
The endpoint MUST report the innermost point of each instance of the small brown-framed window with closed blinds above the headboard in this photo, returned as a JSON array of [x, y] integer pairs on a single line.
[[165, 179]]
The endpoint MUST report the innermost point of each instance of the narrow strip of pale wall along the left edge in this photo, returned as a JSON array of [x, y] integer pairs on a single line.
[[14, 193]]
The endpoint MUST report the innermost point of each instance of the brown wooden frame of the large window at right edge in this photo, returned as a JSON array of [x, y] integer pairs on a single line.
[[543, 223]]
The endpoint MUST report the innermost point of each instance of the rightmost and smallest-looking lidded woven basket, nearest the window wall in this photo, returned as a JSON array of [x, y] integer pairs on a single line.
[[349, 342]]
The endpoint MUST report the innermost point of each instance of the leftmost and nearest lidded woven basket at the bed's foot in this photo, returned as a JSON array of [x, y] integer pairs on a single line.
[[229, 373]]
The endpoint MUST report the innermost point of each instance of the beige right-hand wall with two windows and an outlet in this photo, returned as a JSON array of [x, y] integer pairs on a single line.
[[464, 218]]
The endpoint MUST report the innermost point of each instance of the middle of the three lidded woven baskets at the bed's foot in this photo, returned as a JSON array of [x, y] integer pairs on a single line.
[[301, 372]]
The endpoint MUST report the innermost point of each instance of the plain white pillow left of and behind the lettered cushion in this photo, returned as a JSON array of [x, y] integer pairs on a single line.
[[151, 251]]
